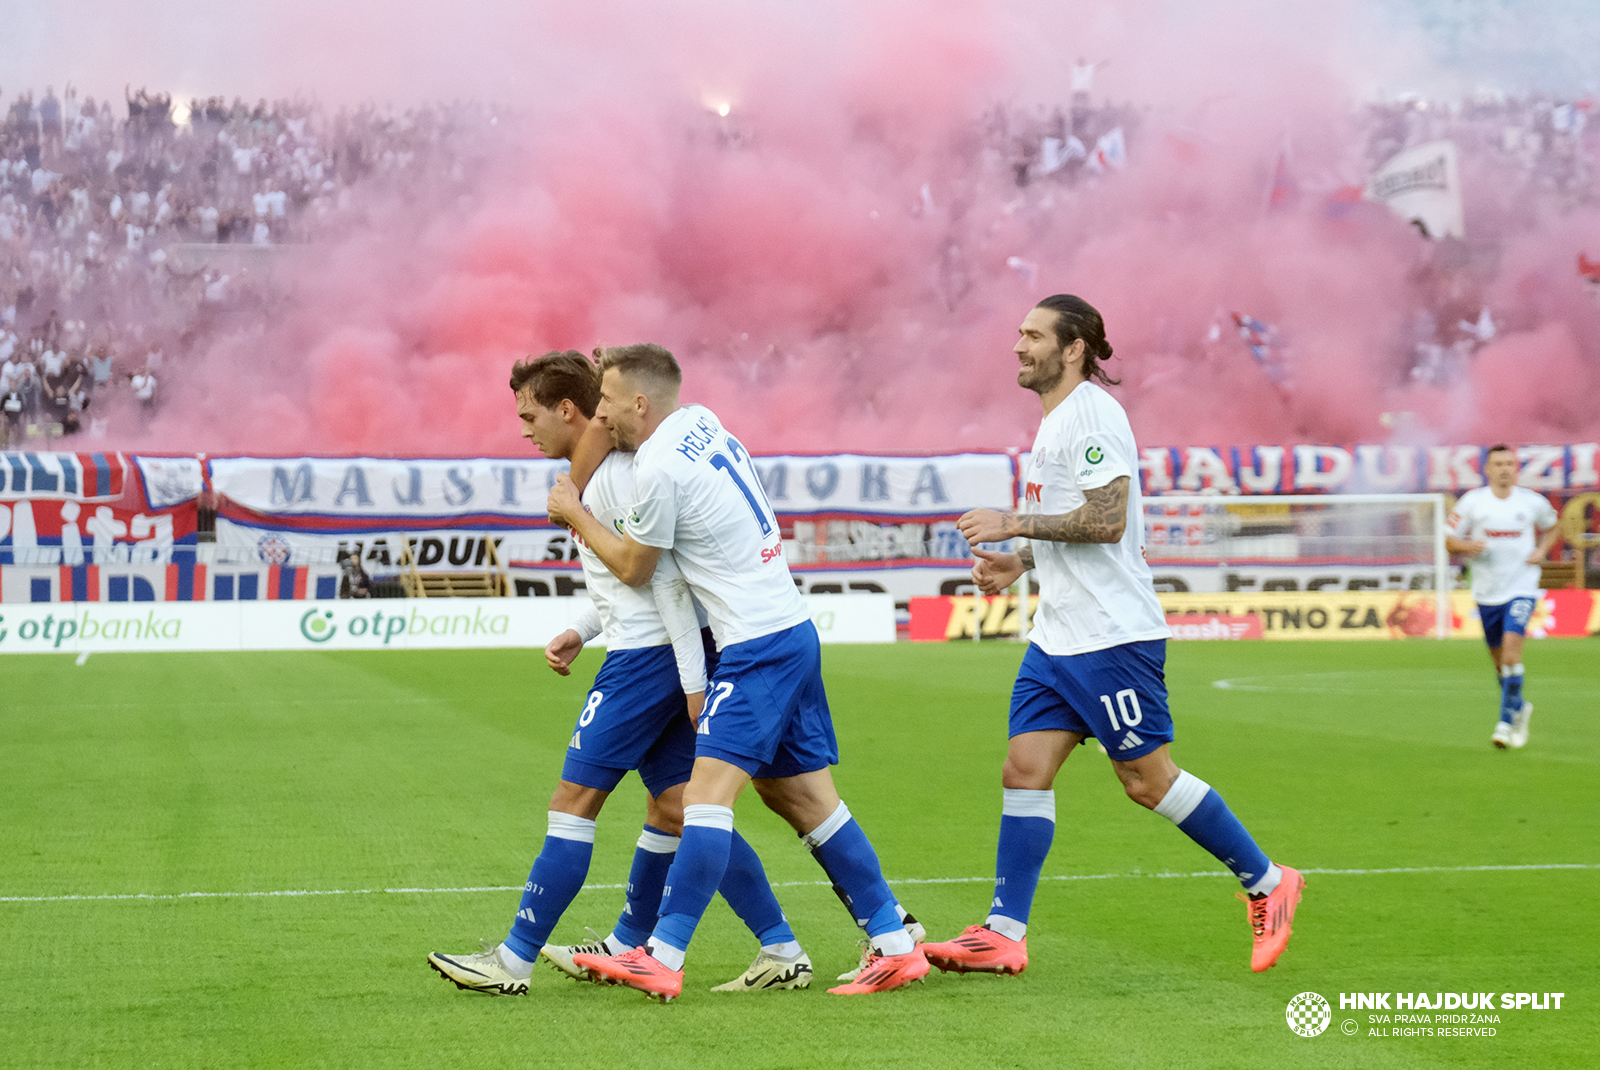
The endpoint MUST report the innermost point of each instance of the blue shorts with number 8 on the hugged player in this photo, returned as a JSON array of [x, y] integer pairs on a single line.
[[636, 717]]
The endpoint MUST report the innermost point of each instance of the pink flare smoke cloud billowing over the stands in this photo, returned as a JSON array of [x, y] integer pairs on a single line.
[[842, 260]]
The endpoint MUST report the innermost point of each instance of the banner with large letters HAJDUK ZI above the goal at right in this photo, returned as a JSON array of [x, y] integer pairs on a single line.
[[1364, 469]]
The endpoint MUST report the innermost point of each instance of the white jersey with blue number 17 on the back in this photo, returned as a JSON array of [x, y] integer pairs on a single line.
[[698, 495]]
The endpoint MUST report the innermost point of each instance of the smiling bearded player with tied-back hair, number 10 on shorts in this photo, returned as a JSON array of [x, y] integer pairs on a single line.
[[1097, 653]]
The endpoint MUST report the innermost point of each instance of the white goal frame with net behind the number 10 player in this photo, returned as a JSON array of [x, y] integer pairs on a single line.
[[1289, 543]]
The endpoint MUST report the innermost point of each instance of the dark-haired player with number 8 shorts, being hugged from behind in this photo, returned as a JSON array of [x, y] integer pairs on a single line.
[[638, 717]]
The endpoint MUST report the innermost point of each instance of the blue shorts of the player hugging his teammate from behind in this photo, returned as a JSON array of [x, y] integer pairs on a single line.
[[767, 709]]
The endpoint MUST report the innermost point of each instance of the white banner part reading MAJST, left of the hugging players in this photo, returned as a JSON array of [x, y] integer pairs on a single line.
[[375, 493]]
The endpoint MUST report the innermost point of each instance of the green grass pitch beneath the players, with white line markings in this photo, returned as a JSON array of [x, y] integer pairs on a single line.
[[361, 773]]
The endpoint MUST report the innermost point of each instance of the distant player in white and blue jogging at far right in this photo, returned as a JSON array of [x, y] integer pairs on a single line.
[[1506, 530]]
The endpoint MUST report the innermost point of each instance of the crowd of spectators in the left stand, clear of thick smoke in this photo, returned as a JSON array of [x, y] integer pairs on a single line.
[[127, 230]]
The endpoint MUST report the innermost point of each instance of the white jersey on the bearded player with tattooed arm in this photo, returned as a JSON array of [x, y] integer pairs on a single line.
[[1092, 596]]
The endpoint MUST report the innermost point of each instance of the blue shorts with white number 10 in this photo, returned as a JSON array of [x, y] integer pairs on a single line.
[[1116, 695]]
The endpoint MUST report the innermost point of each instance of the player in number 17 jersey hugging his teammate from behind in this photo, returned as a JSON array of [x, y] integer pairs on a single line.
[[767, 717]]
